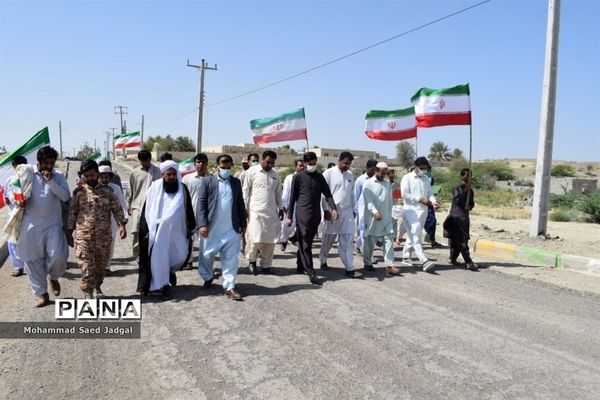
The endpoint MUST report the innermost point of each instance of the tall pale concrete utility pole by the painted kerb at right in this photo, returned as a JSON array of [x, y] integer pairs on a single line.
[[539, 212]]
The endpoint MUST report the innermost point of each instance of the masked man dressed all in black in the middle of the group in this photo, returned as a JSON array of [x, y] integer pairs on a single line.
[[305, 202]]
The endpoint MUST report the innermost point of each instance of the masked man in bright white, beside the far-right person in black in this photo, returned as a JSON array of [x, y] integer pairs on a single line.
[[417, 195]]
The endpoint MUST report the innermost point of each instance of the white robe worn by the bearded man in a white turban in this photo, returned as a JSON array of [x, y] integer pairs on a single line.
[[167, 232]]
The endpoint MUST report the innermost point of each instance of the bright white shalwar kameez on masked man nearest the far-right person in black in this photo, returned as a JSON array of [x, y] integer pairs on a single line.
[[414, 187]]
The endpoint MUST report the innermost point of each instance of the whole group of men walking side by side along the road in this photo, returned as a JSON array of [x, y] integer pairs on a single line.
[[167, 214]]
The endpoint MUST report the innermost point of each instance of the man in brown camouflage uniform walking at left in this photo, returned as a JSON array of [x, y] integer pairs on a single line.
[[90, 213]]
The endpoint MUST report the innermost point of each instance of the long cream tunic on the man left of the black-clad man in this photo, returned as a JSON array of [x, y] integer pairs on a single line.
[[262, 197]]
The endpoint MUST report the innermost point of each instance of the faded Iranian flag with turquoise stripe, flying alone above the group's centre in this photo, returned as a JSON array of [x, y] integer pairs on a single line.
[[284, 127]]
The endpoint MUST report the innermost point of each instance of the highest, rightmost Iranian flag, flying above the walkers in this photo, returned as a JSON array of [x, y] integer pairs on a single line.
[[439, 107]]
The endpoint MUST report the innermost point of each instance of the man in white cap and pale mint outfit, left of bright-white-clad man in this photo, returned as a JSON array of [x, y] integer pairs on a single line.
[[379, 224]]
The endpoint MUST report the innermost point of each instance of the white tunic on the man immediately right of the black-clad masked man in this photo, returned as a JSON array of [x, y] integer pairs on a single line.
[[341, 185]]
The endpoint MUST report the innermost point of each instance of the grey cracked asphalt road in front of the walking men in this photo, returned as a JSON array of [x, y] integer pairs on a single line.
[[455, 334]]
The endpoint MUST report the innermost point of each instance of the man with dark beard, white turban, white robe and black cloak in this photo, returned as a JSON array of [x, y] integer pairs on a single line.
[[166, 226]]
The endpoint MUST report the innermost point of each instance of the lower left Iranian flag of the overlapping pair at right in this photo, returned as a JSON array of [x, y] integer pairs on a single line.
[[391, 125]]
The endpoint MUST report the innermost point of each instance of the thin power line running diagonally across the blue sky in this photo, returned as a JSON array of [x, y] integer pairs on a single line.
[[325, 64]]
